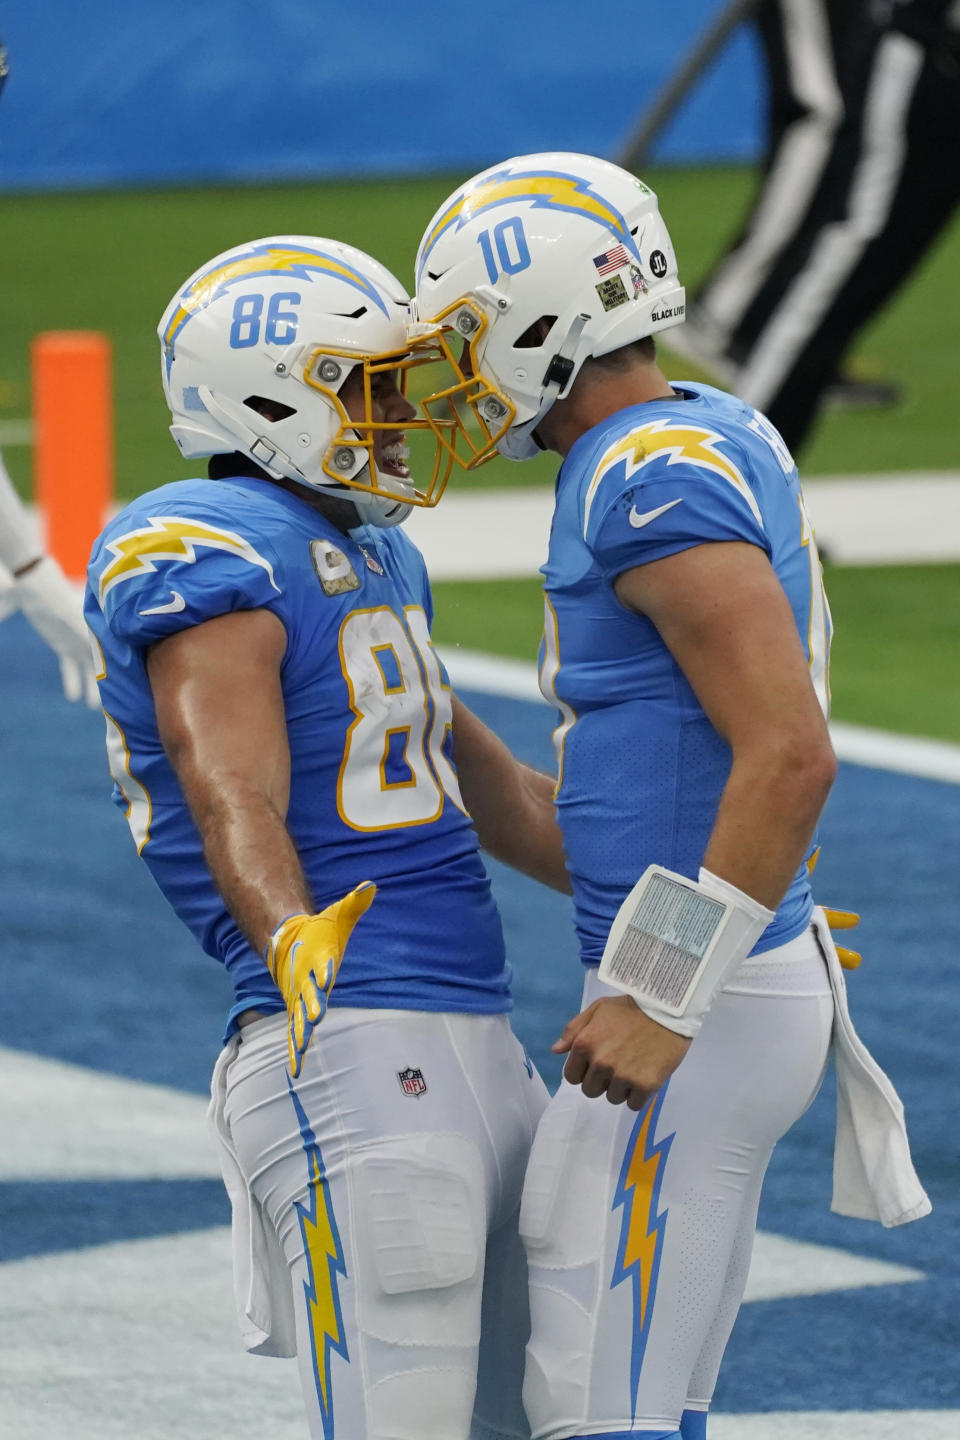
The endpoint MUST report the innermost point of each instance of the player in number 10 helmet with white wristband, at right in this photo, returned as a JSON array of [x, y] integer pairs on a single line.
[[686, 647]]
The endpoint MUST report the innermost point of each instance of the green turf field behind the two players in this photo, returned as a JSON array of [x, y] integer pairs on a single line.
[[113, 261]]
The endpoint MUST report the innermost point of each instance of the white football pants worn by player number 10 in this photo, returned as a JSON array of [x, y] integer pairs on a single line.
[[640, 1228]]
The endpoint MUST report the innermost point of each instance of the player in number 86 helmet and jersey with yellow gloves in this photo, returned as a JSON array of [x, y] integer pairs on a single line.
[[286, 745]]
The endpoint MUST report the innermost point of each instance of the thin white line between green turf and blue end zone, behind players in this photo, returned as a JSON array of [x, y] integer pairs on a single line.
[[859, 745]]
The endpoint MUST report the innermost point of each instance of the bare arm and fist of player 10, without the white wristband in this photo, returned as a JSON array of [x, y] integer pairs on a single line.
[[728, 623]]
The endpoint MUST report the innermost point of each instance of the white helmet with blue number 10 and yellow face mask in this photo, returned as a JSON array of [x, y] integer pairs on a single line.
[[561, 238]]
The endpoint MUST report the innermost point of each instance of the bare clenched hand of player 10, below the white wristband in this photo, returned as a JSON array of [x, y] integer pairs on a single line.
[[614, 1049]]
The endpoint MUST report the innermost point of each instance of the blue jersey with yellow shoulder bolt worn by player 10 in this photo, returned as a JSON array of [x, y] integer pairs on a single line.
[[641, 767]]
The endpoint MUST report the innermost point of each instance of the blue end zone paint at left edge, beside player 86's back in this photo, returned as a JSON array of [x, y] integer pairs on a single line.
[[135, 994]]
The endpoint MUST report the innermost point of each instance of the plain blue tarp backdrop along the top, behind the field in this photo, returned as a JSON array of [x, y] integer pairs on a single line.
[[165, 91]]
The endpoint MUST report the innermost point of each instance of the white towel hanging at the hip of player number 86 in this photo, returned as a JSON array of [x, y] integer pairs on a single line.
[[261, 1277]]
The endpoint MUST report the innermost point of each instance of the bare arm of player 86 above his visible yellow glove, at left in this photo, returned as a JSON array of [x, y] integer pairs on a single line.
[[221, 715]]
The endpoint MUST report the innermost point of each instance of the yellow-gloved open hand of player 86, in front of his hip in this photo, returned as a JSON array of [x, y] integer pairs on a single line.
[[304, 957]]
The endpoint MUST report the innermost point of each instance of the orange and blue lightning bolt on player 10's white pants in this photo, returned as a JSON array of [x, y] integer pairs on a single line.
[[643, 1228]]
